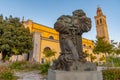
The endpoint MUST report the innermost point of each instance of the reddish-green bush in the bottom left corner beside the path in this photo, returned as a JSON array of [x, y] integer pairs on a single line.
[[6, 74]]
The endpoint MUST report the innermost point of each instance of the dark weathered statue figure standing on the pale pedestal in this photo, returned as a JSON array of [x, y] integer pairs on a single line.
[[70, 30]]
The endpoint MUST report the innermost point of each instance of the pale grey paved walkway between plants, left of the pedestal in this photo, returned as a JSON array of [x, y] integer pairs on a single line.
[[32, 75]]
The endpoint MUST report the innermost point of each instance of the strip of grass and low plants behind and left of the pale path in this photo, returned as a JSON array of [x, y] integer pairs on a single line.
[[7, 72]]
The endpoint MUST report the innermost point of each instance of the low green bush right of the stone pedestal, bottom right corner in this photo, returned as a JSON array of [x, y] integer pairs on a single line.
[[111, 74]]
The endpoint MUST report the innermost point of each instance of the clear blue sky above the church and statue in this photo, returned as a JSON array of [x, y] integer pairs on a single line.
[[46, 12]]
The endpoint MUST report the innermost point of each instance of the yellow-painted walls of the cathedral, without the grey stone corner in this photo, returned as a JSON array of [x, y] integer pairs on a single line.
[[46, 32]]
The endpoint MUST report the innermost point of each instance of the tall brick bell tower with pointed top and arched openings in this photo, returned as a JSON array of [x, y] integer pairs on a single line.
[[101, 25]]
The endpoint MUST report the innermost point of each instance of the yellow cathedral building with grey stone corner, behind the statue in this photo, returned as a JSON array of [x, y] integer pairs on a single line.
[[47, 38]]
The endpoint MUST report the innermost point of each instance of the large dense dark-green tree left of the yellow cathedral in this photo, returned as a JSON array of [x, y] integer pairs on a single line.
[[14, 38]]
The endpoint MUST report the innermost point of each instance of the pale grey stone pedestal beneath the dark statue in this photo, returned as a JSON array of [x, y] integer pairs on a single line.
[[74, 75]]
